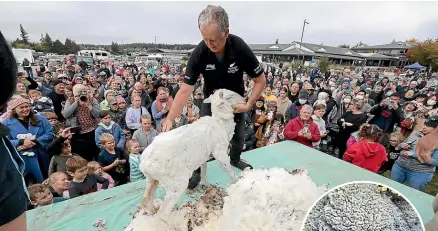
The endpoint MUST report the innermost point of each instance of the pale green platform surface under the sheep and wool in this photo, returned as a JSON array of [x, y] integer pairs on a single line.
[[116, 205]]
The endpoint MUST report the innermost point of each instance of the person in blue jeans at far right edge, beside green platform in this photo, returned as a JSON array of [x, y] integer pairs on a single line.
[[413, 167]]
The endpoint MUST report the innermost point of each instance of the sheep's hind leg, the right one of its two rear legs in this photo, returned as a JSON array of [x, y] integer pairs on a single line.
[[173, 193]]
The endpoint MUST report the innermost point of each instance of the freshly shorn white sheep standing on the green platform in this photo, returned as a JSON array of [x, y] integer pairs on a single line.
[[173, 156]]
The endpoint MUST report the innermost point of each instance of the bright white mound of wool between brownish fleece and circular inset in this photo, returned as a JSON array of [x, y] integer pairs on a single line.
[[267, 200]]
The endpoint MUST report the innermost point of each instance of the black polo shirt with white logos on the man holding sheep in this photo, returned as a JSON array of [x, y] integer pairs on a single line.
[[228, 73]]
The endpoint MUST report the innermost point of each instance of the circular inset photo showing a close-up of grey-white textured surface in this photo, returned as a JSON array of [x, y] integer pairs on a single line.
[[364, 206]]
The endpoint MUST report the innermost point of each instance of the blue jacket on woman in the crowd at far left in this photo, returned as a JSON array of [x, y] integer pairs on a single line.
[[43, 132]]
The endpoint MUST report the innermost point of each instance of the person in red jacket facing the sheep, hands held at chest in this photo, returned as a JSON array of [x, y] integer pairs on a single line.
[[302, 129]]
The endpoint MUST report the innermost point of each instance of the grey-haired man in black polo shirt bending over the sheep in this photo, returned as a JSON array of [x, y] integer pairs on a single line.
[[221, 58]]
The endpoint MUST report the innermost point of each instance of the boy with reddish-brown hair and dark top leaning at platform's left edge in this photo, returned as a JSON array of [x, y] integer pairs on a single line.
[[82, 182]]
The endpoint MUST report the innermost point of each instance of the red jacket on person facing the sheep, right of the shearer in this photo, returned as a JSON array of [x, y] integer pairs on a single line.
[[294, 126]]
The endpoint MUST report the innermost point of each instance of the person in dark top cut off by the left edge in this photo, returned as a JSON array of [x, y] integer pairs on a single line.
[[13, 195]]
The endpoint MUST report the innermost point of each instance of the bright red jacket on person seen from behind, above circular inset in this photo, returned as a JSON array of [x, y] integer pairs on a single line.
[[364, 154]]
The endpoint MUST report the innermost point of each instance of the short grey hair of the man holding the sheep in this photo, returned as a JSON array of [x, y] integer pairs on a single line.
[[215, 14]]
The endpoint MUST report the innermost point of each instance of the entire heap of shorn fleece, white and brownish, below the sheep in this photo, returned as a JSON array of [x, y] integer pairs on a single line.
[[262, 199]]
